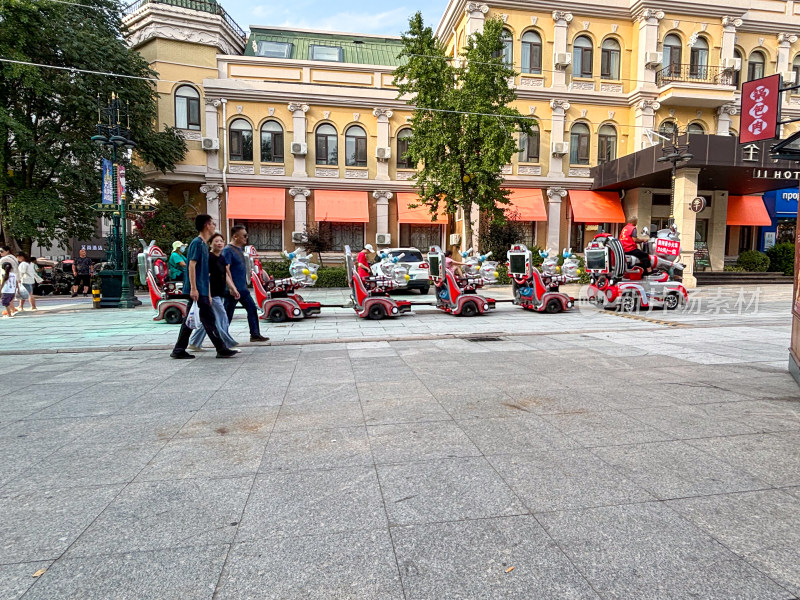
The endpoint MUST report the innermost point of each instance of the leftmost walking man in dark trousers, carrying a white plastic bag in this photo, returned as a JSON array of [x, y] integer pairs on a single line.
[[198, 285]]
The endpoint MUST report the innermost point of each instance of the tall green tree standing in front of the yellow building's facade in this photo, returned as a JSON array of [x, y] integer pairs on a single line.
[[462, 127]]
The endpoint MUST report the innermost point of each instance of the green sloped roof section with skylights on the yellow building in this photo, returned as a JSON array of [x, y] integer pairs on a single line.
[[355, 49]]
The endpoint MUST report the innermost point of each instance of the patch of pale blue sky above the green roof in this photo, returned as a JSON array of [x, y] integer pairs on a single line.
[[349, 16]]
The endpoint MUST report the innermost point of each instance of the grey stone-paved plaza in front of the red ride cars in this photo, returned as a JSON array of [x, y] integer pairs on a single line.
[[514, 455]]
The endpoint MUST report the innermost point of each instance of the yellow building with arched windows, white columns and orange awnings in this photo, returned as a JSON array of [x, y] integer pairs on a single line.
[[266, 114]]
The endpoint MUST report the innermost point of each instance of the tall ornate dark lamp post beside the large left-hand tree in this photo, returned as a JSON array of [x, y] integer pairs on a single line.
[[111, 134]]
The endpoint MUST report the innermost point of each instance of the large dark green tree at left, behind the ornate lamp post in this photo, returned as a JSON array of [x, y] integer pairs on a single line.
[[49, 176]]
